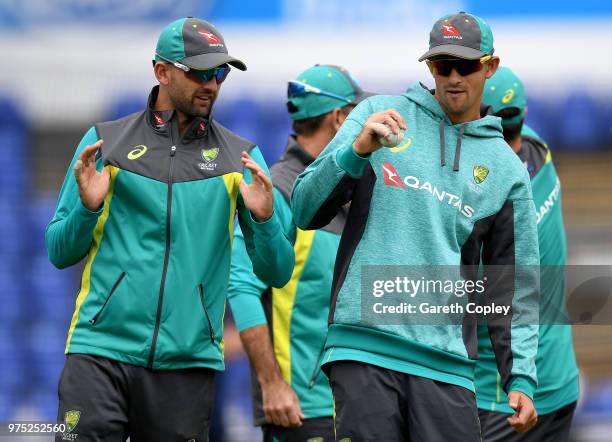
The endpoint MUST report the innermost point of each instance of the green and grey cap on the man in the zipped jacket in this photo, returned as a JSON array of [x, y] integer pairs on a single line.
[[195, 43]]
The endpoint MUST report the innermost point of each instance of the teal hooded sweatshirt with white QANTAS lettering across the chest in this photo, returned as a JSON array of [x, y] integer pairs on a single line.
[[448, 195]]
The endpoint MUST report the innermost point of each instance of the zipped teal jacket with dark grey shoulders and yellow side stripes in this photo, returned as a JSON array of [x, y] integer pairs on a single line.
[[159, 248]]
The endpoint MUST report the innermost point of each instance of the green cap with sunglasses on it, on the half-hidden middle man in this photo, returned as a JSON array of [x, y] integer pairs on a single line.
[[321, 89]]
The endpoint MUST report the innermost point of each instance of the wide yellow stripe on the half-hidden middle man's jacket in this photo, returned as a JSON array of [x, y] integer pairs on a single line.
[[282, 304]]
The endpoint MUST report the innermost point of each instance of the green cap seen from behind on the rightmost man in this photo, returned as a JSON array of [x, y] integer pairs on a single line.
[[504, 90]]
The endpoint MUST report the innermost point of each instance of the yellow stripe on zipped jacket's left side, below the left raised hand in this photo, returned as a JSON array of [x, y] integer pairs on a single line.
[[93, 251]]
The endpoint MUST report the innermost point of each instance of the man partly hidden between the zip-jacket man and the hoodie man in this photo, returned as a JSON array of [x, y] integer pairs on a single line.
[[283, 330]]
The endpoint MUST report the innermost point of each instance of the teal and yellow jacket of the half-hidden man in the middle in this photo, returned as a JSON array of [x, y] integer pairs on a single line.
[[296, 313]]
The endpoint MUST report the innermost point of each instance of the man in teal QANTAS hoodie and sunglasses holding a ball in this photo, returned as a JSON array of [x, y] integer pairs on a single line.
[[405, 373]]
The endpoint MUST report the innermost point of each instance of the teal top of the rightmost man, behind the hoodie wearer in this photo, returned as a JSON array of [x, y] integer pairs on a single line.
[[555, 359]]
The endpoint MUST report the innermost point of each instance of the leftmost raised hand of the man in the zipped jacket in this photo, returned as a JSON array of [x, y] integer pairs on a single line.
[[93, 185]]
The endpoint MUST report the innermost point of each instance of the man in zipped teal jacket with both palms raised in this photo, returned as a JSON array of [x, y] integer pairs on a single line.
[[150, 200]]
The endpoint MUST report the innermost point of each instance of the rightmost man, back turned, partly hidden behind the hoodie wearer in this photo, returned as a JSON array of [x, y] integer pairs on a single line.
[[557, 392]]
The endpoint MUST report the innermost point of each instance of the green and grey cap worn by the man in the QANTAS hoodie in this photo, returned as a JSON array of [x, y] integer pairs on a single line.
[[460, 35]]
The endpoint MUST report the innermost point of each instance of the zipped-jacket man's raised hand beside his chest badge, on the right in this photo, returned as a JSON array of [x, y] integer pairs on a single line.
[[258, 196]]
